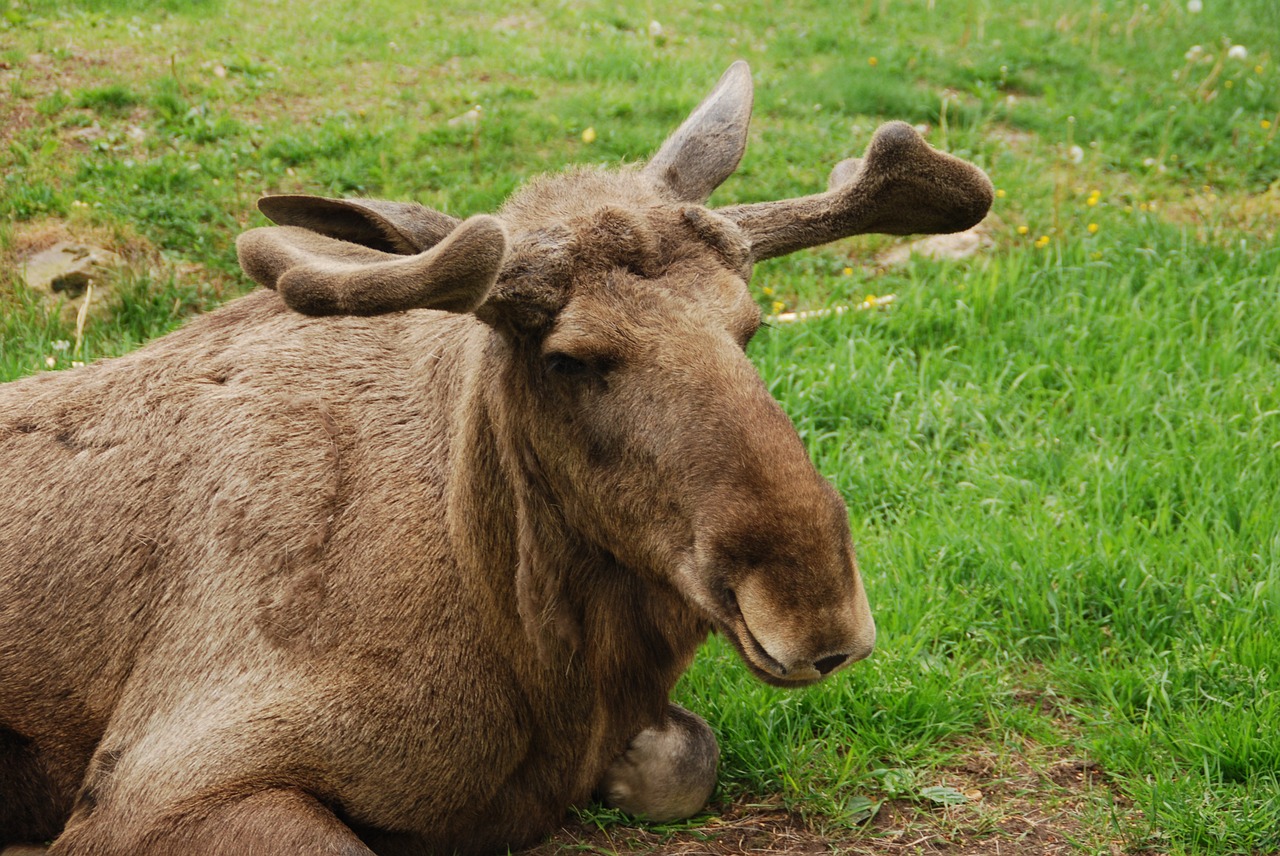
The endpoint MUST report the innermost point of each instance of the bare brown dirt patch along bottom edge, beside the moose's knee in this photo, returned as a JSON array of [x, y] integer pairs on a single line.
[[1017, 805]]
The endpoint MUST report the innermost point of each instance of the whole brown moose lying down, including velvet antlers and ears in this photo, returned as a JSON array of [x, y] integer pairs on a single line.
[[404, 553]]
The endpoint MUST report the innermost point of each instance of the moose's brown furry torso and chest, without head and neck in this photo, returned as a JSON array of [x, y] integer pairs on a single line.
[[267, 610]]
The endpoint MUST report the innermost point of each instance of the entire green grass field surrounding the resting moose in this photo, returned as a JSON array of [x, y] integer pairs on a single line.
[[1062, 456]]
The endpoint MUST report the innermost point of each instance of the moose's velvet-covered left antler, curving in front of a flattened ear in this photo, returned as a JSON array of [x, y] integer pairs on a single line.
[[321, 276]]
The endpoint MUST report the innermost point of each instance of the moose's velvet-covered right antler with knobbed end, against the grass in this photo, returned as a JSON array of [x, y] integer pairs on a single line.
[[902, 186]]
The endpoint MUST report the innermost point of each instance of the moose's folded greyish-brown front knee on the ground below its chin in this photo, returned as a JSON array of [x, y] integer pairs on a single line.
[[669, 771]]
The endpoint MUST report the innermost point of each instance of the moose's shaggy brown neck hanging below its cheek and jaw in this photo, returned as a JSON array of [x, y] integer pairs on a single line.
[[609, 642]]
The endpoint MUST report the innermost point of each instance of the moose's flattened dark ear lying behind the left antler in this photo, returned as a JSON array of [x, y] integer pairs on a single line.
[[404, 228]]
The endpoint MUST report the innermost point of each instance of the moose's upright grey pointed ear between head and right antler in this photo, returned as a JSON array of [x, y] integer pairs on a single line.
[[708, 147]]
